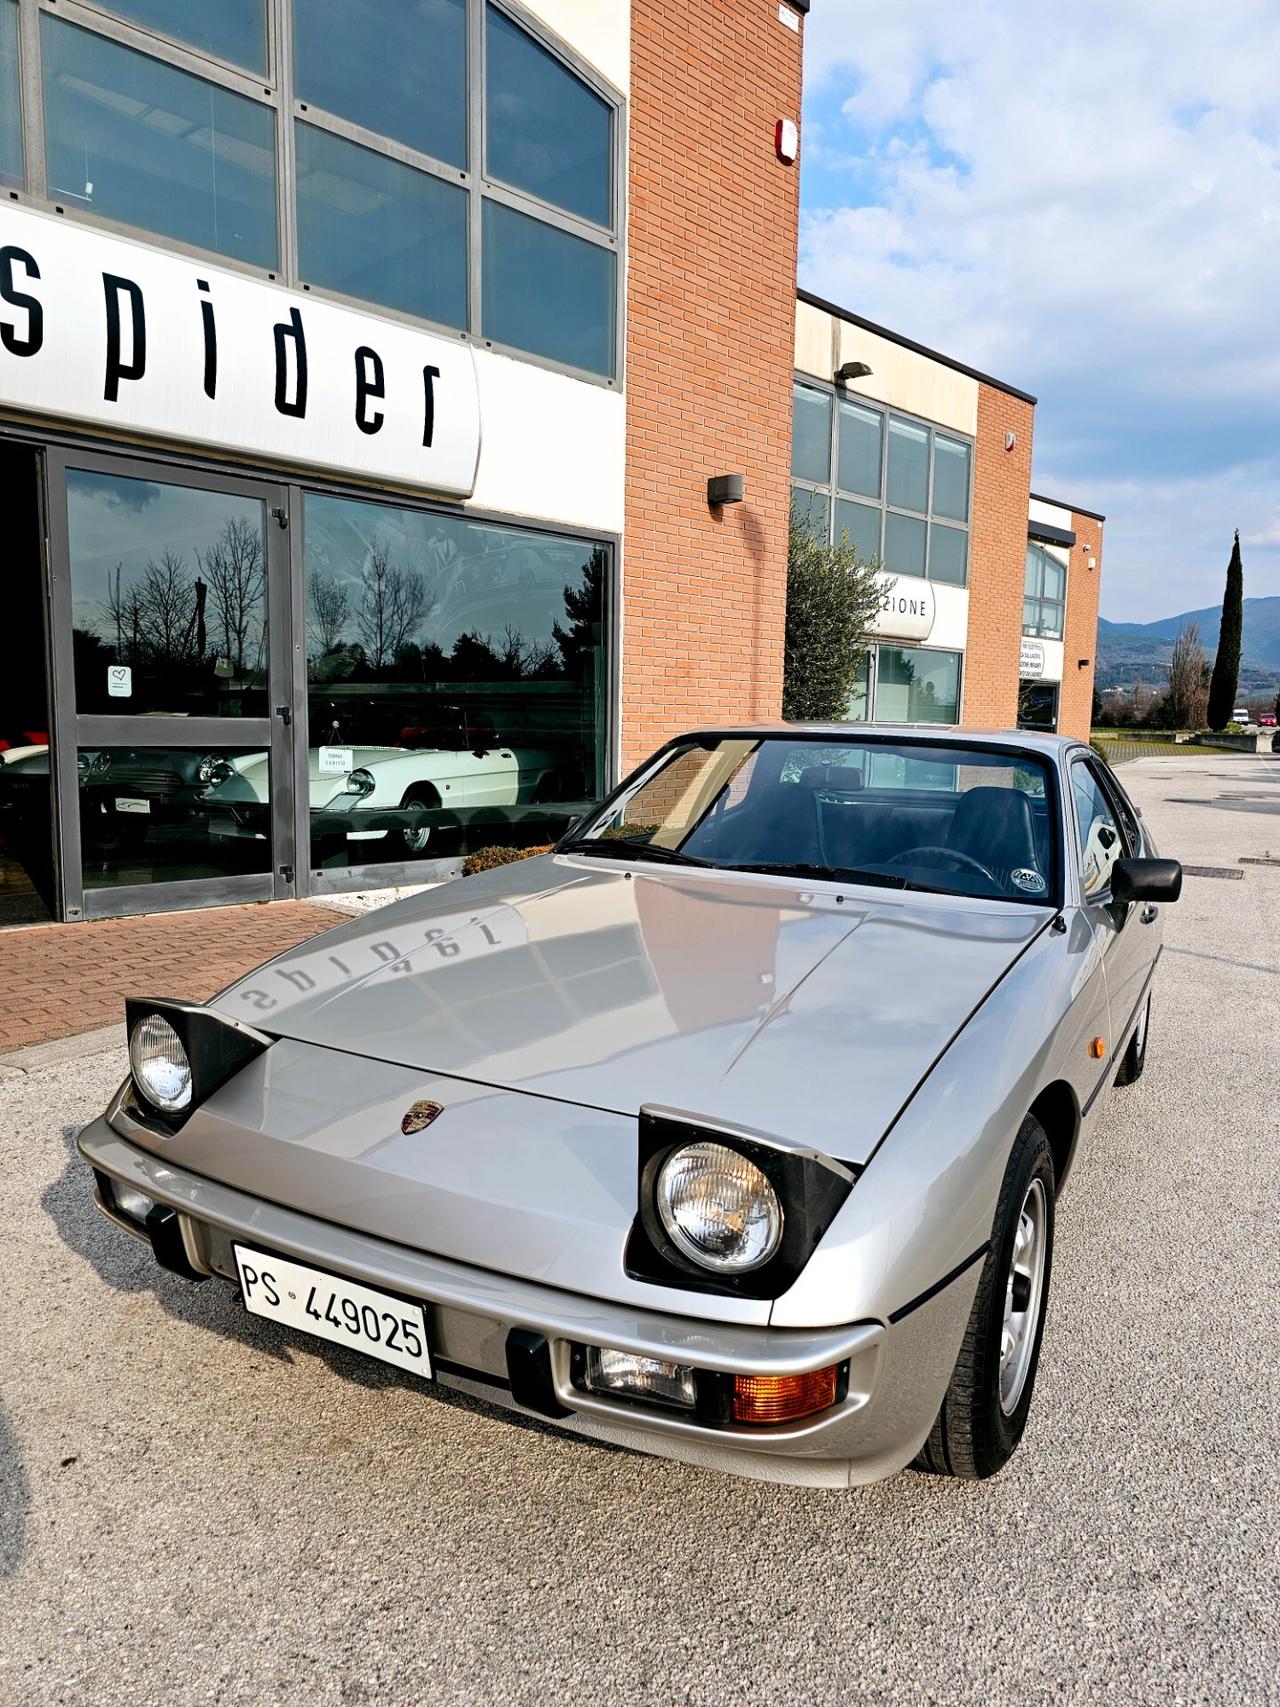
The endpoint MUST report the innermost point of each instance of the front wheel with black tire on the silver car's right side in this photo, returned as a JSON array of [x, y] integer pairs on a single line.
[[989, 1399]]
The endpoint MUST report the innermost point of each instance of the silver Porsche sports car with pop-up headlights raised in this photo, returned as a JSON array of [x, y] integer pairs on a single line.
[[731, 1129]]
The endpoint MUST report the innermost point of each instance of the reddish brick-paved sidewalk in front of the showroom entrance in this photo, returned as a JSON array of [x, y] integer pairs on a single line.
[[59, 981]]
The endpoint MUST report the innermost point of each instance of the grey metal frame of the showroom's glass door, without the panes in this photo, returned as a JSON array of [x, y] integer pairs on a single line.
[[71, 730]]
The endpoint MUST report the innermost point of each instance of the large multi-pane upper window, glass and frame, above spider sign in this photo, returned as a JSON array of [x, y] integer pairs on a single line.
[[434, 158]]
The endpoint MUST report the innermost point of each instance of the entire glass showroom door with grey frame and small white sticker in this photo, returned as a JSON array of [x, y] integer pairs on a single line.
[[173, 754]]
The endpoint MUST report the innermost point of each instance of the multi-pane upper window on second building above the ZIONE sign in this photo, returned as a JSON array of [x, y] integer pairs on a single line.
[[899, 487]]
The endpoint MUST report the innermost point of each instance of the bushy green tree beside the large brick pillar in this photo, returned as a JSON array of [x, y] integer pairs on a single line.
[[834, 595]]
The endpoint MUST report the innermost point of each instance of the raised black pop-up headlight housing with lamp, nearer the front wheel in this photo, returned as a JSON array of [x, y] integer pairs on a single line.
[[728, 1211]]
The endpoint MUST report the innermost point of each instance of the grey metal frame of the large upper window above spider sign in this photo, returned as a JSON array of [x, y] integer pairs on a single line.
[[276, 91]]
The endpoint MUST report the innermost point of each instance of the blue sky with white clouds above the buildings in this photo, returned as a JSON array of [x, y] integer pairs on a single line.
[[1083, 201]]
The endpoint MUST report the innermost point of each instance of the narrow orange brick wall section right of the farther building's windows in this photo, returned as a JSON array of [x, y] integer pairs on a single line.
[[998, 561]]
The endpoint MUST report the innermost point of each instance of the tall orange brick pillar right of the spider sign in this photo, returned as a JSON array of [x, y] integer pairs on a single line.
[[711, 308]]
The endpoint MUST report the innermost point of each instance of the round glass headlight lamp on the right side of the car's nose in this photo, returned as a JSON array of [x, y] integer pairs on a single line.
[[719, 1208]]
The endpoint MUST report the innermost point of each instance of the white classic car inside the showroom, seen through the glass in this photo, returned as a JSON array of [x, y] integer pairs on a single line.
[[371, 793]]
